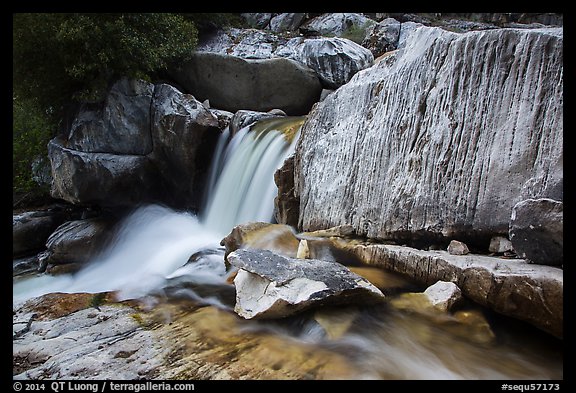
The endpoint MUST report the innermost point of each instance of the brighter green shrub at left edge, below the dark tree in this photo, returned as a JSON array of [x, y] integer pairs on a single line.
[[31, 133]]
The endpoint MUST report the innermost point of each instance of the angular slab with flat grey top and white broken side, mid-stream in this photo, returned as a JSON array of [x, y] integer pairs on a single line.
[[272, 286]]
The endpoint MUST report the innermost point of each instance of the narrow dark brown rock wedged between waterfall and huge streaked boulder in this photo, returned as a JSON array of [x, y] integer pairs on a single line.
[[286, 205]]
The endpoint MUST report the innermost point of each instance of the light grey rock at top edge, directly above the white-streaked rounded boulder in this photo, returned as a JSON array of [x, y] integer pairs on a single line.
[[349, 25]]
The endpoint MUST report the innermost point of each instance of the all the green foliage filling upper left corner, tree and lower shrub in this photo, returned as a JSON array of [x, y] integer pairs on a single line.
[[62, 58]]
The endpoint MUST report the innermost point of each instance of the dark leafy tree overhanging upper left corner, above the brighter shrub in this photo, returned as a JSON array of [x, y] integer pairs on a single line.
[[60, 57]]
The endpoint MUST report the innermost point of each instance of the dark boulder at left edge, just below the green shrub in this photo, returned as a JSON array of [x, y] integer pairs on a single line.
[[30, 230]]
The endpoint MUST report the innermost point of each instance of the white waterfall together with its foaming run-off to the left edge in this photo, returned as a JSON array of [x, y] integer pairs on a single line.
[[152, 246]]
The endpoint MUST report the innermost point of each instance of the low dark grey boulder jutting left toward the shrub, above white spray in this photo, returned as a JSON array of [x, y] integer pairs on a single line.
[[101, 178]]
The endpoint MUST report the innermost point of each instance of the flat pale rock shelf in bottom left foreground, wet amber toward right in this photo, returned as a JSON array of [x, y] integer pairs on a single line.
[[64, 336]]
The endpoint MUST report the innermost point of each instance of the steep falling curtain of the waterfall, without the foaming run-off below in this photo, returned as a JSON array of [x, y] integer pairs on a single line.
[[242, 185]]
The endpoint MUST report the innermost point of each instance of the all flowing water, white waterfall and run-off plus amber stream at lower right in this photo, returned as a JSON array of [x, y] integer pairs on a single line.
[[151, 249]]
